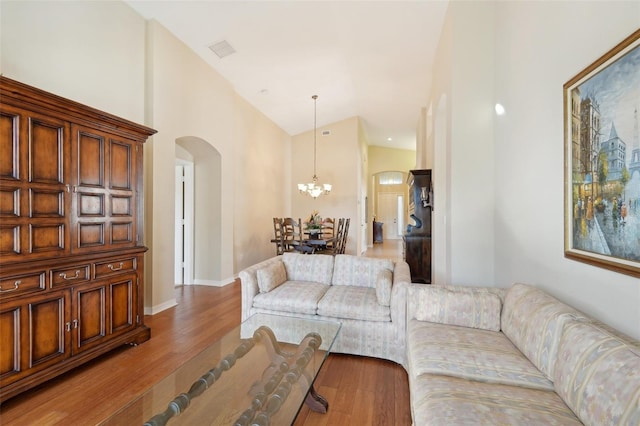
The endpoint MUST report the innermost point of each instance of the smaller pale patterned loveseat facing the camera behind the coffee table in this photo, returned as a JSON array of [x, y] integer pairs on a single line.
[[367, 295]]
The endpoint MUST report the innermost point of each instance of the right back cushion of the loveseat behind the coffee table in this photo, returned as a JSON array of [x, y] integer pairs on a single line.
[[358, 271]]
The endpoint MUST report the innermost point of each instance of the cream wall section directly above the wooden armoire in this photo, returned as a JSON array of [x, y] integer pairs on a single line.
[[67, 48]]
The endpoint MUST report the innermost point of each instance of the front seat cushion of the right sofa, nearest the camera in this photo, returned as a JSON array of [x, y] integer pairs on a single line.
[[442, 400]]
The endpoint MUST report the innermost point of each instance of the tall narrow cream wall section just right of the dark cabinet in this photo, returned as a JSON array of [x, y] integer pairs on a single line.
[[464, 190]]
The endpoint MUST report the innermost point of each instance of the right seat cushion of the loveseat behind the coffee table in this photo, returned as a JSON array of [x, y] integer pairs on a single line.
[[359, 303]]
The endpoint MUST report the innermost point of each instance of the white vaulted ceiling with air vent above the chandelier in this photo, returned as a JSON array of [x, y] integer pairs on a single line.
[[371, 59]]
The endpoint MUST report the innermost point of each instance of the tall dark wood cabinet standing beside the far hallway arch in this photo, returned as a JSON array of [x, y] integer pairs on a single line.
[[417, 239]]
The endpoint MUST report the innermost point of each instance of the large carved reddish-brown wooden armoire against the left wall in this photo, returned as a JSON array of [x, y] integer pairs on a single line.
[[71, 223]]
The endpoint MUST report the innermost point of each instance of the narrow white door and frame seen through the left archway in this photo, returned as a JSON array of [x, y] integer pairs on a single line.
[[184, 226]]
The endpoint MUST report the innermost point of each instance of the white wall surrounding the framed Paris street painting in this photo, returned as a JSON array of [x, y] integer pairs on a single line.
[[531, 66]]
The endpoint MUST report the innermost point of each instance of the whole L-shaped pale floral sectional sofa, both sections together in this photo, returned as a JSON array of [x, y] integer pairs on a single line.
[[473, 355]]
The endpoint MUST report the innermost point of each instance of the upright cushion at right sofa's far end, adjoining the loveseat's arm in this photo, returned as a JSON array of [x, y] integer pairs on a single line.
[[477, 309]]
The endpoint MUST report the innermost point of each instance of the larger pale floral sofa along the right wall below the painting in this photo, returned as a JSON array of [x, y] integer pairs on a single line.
[[489, 356]]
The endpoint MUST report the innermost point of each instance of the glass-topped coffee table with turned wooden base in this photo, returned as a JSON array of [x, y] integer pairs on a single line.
[[259, 373]]
